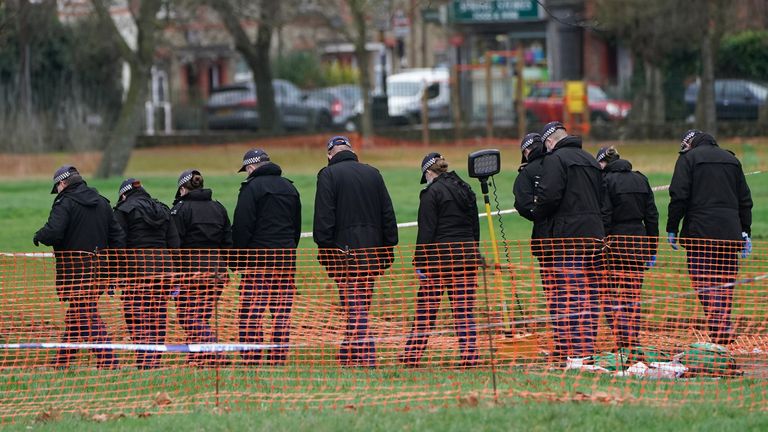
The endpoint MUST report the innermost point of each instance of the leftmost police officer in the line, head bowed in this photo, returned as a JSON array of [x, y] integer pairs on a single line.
[[80, 223]]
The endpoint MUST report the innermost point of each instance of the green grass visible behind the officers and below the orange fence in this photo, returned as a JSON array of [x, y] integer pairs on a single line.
[[25, 208]]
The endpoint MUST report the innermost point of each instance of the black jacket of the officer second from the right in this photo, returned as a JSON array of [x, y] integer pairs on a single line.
[[629, 209]]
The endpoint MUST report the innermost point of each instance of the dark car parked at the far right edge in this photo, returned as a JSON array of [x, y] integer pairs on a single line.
[[735, 99]]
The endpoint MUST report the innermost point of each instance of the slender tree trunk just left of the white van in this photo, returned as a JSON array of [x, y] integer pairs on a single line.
[[361, 54]]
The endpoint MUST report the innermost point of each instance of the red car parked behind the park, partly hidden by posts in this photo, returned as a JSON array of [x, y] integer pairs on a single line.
[[545, 104]]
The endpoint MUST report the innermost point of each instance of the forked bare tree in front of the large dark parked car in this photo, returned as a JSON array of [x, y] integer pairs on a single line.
[[256, 53]]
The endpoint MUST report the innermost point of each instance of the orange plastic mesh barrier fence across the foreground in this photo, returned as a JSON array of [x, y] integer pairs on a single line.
[[150, 331]]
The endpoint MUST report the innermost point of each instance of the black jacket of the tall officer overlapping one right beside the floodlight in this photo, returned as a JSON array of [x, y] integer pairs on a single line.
[[571, 192]]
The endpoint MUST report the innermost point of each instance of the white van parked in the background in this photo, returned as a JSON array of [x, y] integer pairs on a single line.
[[406, 89]]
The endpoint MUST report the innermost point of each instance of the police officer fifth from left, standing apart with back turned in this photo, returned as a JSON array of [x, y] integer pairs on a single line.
[[355, 230]]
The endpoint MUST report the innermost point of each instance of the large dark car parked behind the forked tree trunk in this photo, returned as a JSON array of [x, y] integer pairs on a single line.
[[235, 107]]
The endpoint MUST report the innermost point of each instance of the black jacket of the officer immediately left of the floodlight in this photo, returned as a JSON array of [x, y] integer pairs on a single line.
[[449, 229]]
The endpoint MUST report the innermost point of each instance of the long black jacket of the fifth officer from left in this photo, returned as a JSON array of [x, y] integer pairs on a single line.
[[353, 210]]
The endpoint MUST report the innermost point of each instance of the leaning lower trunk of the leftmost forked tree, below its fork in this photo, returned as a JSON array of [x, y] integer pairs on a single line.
[[122, 138]]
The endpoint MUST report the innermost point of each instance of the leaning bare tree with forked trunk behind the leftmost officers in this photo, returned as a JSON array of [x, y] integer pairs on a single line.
[[122, 138]]
